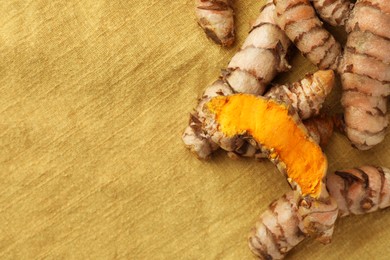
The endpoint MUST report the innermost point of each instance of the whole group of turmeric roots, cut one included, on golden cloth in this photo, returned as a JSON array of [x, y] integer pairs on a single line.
[[242, 115]]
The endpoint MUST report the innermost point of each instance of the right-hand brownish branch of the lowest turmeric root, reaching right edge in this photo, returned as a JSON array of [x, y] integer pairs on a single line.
[[360, 190]]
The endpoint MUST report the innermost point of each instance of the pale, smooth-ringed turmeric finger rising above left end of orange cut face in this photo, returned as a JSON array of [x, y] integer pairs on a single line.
[[261, 57]]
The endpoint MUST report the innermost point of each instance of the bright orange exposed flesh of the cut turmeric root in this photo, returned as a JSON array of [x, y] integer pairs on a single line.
[[270, 124]]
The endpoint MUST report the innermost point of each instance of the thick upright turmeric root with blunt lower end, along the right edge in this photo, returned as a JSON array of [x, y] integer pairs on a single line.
[[365, 73]]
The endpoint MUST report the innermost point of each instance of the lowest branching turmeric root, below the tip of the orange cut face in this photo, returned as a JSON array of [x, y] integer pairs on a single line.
[[291, 219]]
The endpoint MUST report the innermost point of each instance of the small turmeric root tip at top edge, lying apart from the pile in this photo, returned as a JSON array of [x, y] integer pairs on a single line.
[[216, 17]]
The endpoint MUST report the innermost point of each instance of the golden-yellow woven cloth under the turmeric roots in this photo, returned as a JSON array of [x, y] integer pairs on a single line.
[[94, 96]]
